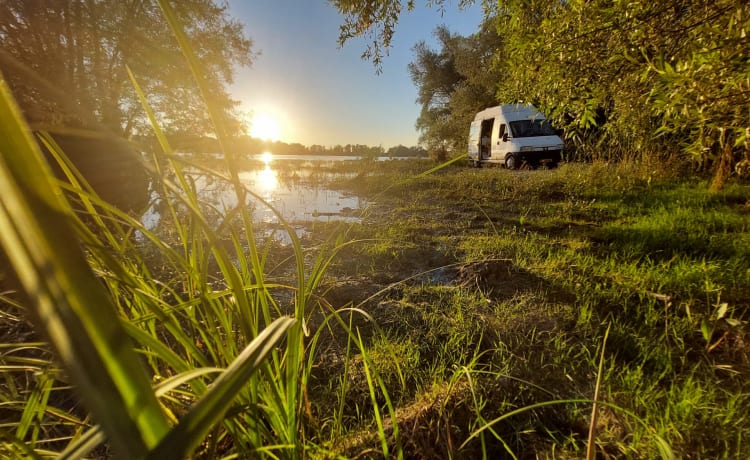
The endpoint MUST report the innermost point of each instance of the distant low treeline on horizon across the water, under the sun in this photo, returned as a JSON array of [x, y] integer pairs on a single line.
[[246, 145]]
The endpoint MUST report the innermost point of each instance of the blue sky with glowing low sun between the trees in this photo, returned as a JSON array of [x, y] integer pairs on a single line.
[[303, 88]]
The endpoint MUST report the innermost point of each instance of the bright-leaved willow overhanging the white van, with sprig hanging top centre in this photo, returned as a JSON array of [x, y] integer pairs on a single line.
[[626, 79]]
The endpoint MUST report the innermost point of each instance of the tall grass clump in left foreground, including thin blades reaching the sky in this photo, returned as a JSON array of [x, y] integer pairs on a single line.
[[206, 340]]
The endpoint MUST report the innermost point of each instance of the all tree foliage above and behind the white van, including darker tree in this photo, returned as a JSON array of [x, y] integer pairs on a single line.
[[625, 80]]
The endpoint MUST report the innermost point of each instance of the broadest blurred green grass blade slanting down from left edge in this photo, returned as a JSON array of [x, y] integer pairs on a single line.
[[70, 304]]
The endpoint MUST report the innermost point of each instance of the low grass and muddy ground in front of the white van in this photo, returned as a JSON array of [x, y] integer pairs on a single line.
[[523, 274]]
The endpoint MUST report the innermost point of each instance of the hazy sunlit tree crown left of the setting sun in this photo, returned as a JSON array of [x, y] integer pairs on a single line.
[[66, 61]]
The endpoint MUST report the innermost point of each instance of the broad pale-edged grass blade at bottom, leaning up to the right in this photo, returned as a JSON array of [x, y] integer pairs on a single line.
[[211, 407]]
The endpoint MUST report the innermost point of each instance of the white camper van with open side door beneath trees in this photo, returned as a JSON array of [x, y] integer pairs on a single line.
[[513, 135]]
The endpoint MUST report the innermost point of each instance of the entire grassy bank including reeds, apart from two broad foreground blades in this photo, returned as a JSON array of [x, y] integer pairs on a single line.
[[473, 313]]
